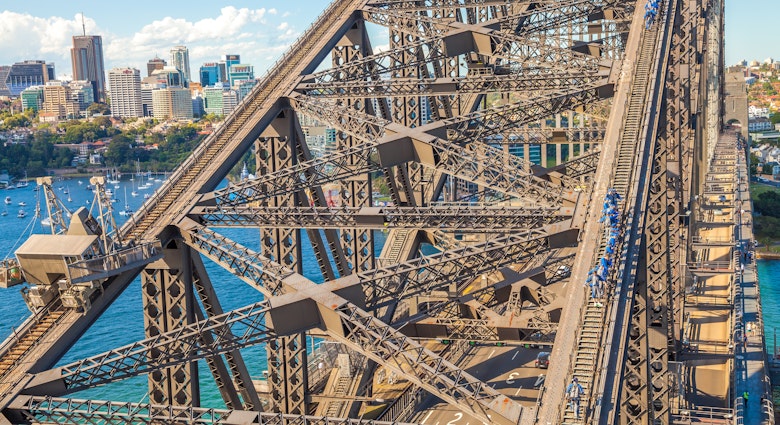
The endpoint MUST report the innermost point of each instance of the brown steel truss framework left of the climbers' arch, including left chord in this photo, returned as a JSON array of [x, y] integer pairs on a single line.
[[489, 76]]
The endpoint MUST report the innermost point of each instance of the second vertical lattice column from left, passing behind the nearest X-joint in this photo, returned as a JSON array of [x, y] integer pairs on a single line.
[[276, 150]]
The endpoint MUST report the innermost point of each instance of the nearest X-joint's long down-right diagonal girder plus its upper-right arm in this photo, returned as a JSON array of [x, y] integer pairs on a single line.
[[385, 345]]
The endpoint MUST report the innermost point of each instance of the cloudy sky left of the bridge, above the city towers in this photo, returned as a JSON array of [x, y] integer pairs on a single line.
[[132, 36]]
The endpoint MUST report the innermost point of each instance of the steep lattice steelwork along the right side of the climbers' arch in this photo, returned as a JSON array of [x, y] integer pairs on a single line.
[[647, 385]]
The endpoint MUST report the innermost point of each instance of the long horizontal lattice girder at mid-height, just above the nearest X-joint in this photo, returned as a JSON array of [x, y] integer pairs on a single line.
[[464, 218]]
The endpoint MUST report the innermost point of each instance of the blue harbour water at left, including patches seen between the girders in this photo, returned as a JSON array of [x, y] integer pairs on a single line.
[[122, 323]]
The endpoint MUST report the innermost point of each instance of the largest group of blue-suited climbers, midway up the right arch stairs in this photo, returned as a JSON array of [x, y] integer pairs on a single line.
[[597, 276]]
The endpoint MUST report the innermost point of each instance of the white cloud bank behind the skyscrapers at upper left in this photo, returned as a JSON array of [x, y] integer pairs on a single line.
[[242, 31]]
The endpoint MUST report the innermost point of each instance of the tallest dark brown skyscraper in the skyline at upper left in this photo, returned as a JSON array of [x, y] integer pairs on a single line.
[[87, 59]]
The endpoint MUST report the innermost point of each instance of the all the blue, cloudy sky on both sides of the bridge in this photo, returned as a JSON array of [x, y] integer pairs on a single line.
[[258, 30]]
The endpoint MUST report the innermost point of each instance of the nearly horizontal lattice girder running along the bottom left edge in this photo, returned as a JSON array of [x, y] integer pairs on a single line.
[[31, 409]]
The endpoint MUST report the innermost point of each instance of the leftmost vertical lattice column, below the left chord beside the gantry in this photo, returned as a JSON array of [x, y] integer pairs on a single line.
[[168, 304]]
